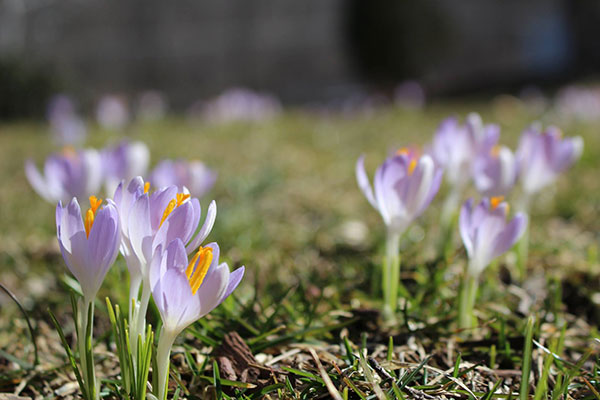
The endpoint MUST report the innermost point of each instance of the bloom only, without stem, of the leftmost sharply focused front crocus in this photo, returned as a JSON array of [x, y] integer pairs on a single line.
[[89, 246]]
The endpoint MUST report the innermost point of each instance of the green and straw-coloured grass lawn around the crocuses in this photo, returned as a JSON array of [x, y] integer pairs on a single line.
[[290, 210]]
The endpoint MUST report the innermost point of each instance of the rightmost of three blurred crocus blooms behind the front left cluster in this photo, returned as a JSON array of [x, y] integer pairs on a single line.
[[194, 175]]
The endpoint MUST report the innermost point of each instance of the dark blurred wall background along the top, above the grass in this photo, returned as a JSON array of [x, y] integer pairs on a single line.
[[302, 51]]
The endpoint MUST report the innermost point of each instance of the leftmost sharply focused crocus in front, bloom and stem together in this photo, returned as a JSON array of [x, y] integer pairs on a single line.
[[89, 247]]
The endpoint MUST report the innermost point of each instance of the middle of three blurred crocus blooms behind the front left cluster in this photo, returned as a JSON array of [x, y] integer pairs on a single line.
[[124, 161]]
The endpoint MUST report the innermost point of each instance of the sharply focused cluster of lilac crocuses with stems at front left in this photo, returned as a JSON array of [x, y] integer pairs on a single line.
[[155, 231]]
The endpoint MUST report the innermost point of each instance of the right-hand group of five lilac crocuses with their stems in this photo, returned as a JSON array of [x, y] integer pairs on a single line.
[[406, 183]]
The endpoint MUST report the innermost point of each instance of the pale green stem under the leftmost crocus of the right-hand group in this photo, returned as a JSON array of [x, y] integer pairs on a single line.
[[391, 274]]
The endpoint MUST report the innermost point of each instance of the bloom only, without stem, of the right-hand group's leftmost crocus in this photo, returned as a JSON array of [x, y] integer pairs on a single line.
[[404, 186]]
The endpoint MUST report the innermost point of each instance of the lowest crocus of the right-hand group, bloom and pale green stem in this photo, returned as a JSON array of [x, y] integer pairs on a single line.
[[486, 234]]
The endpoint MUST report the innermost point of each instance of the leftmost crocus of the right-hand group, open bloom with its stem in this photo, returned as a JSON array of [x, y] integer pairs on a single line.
[[404, 186]]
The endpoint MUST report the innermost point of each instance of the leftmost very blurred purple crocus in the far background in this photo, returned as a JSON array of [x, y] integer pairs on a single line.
[[66, 126]]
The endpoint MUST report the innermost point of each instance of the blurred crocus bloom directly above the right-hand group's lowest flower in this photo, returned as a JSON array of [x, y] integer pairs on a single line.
[[495, 171]]
